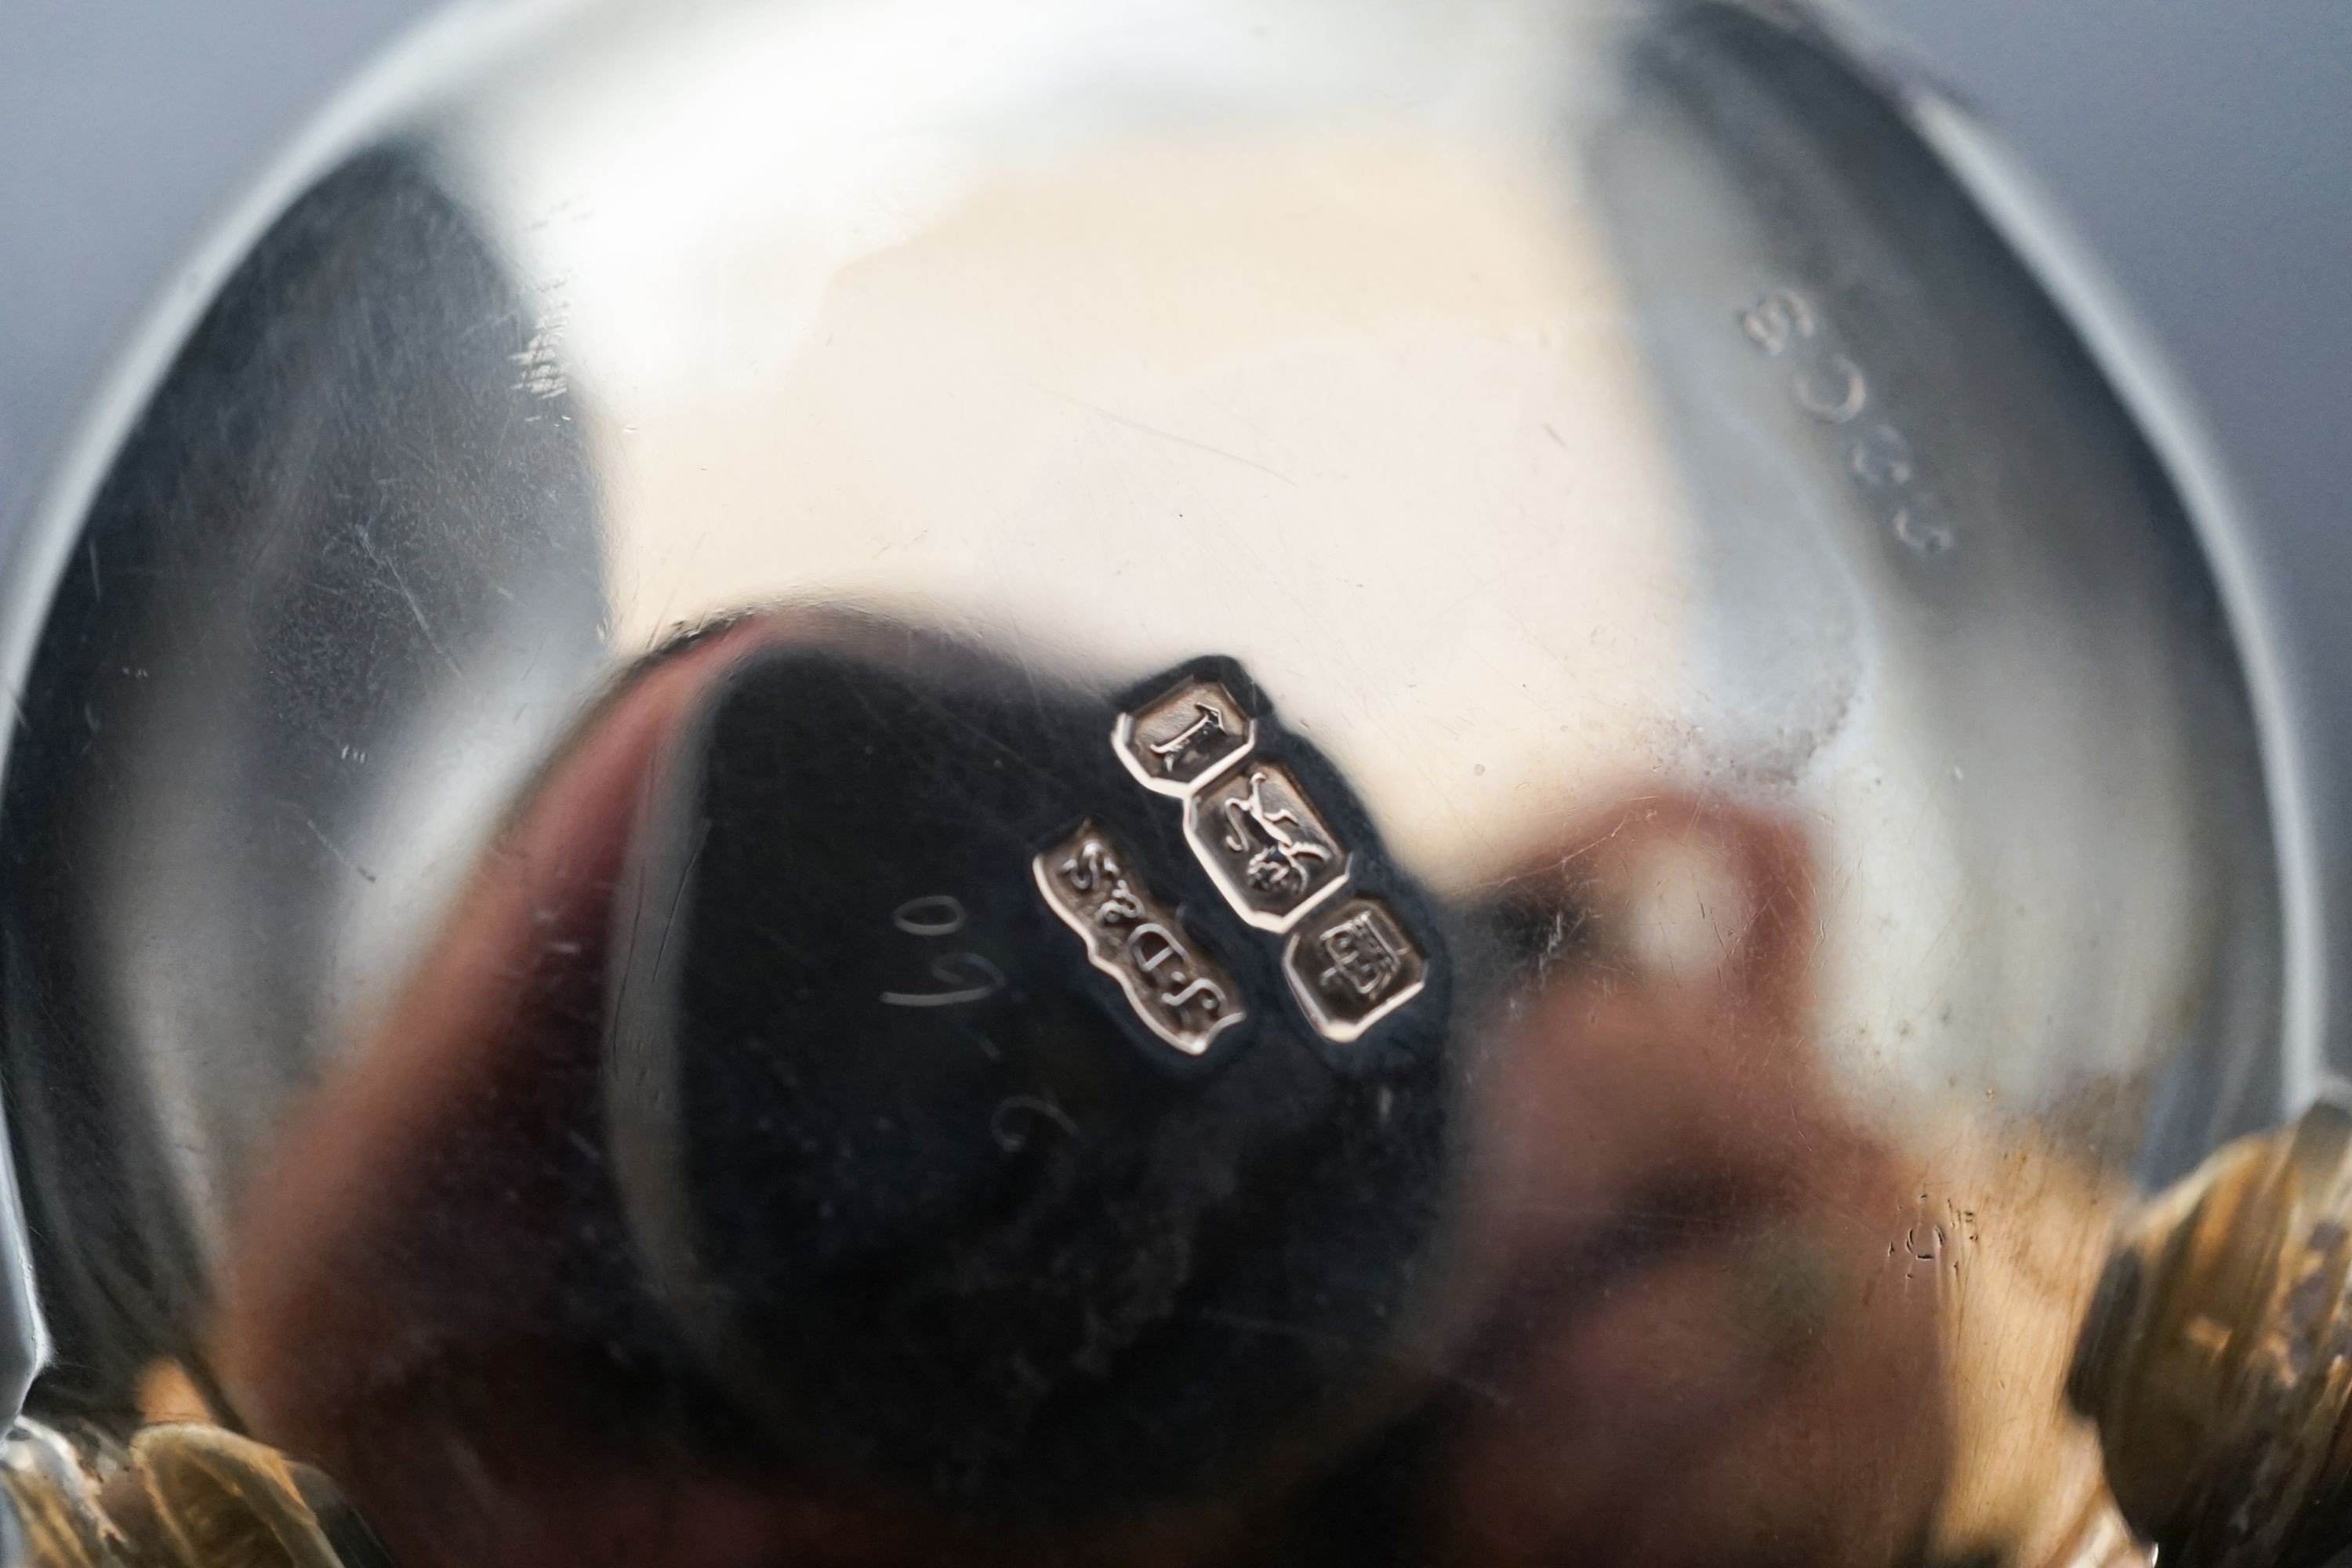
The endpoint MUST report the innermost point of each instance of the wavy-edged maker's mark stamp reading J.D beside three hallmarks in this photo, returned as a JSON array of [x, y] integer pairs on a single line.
[[1177, 989]]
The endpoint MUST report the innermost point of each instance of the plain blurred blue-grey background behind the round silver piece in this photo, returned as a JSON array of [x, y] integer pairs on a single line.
[[2200, 147]]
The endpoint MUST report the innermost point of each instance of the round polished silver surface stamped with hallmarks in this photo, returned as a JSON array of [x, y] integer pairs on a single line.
[[1746, 685]]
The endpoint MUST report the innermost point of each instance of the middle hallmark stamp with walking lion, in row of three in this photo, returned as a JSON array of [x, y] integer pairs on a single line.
[[1264, 845]]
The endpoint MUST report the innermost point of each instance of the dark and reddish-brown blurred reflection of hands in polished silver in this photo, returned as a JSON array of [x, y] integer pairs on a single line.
[[1664, 1322]]
